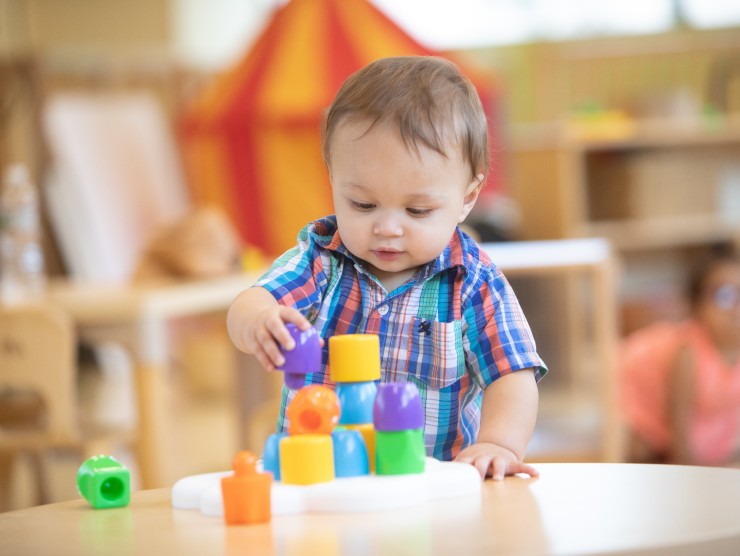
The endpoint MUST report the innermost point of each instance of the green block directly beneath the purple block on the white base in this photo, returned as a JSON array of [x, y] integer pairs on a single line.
[[399, 452]]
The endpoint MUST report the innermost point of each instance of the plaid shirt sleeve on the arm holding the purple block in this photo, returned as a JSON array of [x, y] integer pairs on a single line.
[[297, 278]]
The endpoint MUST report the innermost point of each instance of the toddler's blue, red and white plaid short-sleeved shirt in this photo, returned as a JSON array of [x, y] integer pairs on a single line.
[[451, 330]]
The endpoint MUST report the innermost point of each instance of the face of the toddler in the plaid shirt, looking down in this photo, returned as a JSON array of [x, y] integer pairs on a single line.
[[396, 209]]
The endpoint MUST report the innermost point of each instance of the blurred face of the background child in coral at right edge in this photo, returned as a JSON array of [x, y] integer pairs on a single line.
[[719, 307]]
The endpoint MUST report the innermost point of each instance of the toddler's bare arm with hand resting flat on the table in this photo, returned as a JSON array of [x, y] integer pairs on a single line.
[[508, 416]]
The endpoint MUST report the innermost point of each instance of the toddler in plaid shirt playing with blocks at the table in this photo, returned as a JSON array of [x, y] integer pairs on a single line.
[[405, 143]]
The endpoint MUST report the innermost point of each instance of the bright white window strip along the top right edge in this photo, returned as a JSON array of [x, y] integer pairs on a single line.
[[445, 25]]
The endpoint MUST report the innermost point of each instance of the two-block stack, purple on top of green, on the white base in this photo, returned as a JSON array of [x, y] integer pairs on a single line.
[[398, 416]]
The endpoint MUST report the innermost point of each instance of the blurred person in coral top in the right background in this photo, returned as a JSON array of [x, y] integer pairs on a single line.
[[680, 381]]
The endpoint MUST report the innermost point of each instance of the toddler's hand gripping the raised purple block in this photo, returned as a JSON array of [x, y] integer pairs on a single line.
[[268, 337]]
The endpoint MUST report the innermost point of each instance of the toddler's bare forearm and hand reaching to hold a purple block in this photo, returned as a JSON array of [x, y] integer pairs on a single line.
[[256, 324]]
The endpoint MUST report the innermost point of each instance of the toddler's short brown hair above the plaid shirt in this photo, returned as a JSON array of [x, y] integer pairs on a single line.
[[427, 98]]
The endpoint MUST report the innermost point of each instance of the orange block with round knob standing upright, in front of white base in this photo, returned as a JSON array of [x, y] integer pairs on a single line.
[[246, 494]]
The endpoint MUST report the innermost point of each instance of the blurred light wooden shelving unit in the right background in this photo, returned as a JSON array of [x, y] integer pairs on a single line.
[[659, 191]]
